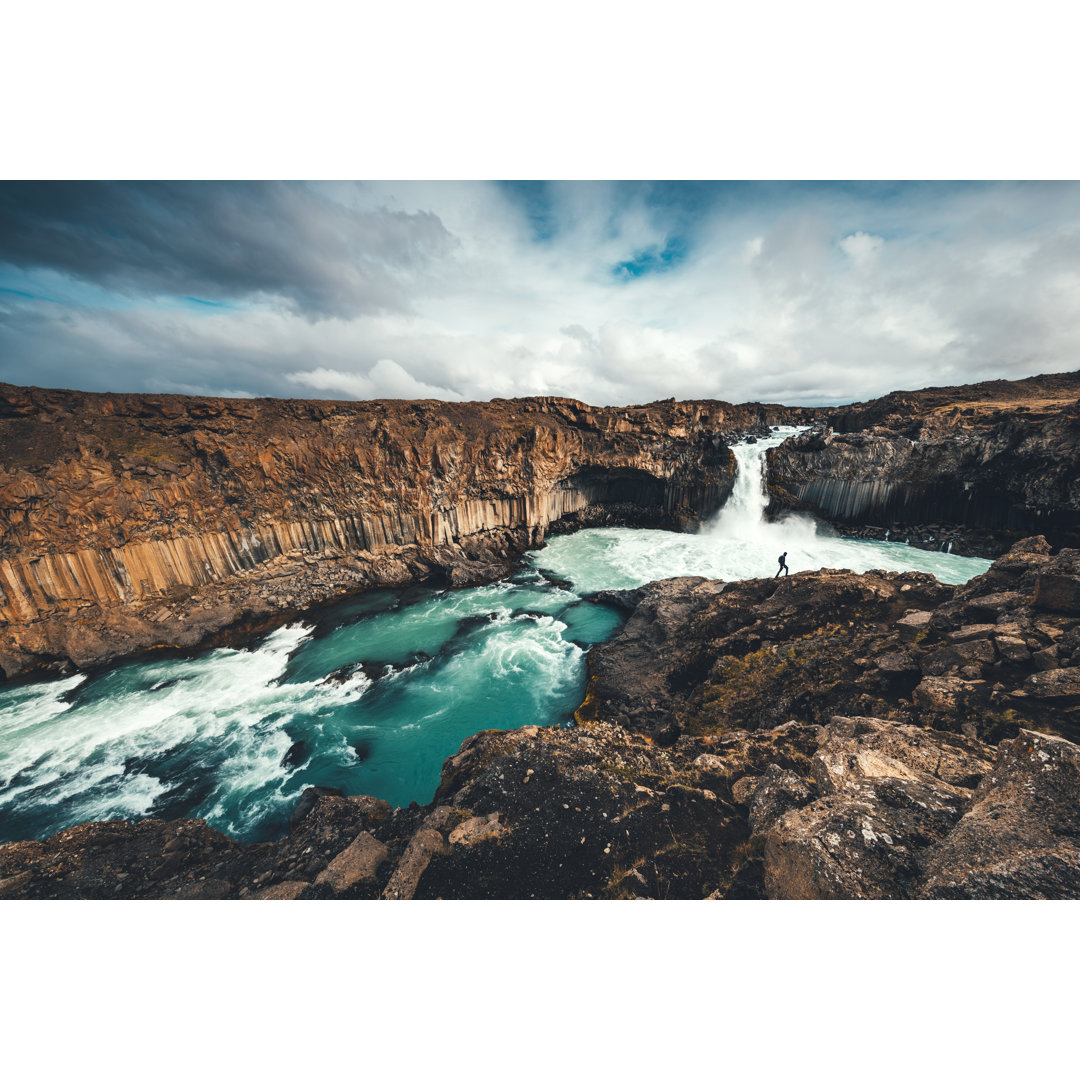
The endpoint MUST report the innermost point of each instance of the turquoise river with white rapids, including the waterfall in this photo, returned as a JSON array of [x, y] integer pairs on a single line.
[[372, 695]]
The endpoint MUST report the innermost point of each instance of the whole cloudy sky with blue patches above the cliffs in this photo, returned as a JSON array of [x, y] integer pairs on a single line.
[[614, 293]]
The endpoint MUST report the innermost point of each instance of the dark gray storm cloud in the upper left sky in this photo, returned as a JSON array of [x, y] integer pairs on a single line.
[[223, 241]]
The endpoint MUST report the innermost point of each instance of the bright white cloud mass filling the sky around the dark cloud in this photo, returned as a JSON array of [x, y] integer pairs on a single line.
[[813, 298]]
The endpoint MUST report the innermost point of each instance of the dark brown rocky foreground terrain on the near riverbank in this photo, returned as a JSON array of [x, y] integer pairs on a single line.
[[826, 736]]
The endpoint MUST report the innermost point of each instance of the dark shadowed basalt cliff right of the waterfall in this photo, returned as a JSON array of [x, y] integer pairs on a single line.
[[982, 466]]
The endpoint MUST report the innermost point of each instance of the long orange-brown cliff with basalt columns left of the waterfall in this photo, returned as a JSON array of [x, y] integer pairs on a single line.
[[129, 521]]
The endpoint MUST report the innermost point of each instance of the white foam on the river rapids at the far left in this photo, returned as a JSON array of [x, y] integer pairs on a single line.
[[228, 701]]
